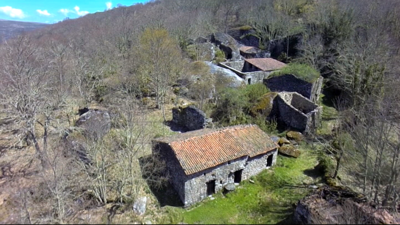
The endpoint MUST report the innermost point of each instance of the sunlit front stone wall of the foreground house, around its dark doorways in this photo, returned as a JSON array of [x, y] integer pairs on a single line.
[[196, 184]]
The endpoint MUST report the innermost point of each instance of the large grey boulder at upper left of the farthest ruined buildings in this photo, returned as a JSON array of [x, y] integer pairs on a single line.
[[227, 44]]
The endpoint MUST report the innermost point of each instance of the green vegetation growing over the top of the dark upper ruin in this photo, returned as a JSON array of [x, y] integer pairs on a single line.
[[301, 71]]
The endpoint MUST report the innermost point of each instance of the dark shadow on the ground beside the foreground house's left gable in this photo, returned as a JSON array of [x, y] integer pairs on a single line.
[[158, 185]]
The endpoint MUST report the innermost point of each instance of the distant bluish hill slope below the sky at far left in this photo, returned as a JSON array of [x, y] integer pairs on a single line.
[[9, 29]]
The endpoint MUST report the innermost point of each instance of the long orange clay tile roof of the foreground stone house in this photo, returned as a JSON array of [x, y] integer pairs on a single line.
[[206, 148]]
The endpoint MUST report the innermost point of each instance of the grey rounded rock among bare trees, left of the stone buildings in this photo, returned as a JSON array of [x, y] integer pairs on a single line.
[[95, 121]]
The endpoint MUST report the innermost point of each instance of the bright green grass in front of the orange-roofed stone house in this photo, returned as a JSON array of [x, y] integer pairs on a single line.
[[269, 199]]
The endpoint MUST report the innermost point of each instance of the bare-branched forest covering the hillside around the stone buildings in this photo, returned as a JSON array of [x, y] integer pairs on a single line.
[[139, 61]]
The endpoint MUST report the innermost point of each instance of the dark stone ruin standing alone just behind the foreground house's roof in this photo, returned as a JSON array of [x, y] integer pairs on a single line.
[[191, 118]]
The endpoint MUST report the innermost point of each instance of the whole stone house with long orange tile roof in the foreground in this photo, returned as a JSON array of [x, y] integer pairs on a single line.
[[202, 162]]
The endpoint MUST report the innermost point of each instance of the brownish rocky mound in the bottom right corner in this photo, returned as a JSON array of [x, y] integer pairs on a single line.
[[338, 205]]
